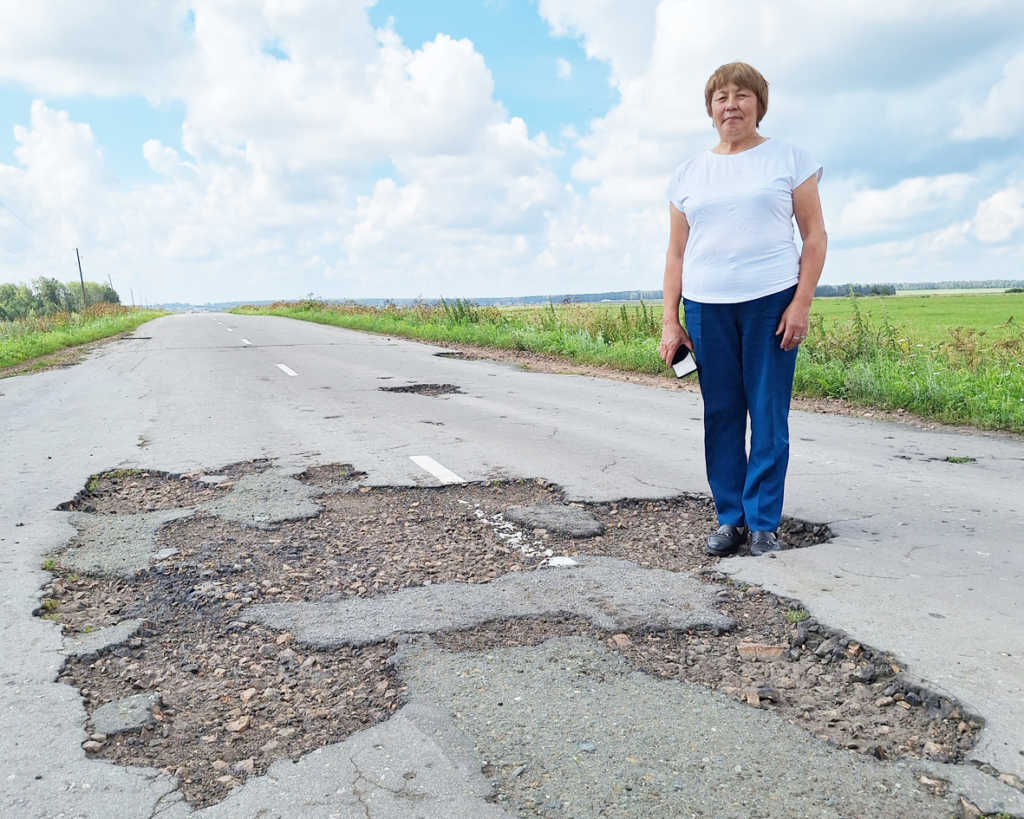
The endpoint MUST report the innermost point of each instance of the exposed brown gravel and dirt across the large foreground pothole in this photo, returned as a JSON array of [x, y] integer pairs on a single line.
[[214, 671]]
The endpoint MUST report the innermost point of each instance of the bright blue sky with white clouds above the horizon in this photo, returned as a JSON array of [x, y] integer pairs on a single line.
[[204, 151]]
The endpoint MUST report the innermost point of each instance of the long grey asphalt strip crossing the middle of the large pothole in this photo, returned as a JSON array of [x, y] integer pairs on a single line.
[[612, 594]]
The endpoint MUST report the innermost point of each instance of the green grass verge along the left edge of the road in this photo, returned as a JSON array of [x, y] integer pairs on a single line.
[[26, 339]]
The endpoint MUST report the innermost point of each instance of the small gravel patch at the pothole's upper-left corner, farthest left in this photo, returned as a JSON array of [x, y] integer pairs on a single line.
[[129, 491]]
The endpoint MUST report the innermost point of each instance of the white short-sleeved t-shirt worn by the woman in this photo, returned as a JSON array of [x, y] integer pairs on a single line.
[[740, 209]]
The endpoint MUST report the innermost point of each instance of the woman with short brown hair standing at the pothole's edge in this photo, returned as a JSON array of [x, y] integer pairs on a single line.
[[747, 297]]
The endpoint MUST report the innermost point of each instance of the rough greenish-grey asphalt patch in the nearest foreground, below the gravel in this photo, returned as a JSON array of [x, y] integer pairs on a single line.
[[569, 728]]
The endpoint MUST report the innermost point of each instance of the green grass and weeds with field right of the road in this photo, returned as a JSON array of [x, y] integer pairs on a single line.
[[955, 359]]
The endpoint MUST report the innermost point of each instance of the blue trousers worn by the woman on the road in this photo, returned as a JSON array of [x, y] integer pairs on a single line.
[[745, 372]]
